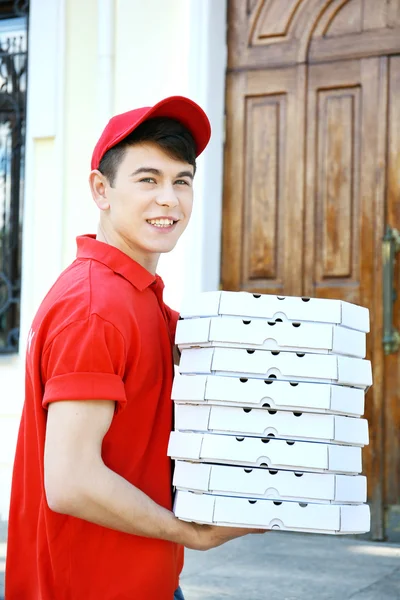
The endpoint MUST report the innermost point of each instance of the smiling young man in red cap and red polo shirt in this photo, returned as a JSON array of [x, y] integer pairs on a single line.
[[90, 515]]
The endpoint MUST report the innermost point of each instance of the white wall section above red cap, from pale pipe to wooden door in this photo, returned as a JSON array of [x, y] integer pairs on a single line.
[[179, 47]]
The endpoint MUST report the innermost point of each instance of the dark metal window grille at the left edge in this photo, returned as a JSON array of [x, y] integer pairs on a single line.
[[13, 85]]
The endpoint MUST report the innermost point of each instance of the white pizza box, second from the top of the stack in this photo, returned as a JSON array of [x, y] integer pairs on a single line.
[[268, 335]]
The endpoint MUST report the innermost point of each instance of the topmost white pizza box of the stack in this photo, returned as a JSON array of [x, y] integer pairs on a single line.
[[291, 308]]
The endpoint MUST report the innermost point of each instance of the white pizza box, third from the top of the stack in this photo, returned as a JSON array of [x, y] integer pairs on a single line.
[[324, 368]]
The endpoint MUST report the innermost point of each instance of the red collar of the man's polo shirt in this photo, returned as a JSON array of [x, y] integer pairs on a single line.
[[88, 247]]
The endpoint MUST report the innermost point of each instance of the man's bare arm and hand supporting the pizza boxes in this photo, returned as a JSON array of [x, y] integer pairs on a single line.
[[78, 483]]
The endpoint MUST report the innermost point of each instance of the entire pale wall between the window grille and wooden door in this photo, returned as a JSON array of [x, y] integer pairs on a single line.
[[87, 61]]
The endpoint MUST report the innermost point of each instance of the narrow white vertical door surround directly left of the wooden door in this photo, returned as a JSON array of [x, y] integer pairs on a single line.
[[207, 64]]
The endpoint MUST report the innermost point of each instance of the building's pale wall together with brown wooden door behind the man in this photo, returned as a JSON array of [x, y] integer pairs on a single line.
[[298, 192]]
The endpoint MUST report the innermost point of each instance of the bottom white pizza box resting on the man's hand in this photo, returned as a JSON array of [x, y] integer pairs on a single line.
[[267, 514]]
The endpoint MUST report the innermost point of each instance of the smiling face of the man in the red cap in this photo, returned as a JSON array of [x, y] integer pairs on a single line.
[[150, 202]]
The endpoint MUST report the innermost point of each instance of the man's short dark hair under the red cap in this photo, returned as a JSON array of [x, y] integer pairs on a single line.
[[170, 135]]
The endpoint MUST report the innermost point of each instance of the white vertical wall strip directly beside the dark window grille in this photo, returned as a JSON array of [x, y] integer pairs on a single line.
[[42, 209]]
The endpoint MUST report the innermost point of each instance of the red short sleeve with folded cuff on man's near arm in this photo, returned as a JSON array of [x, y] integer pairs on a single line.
[[85, 361]]
